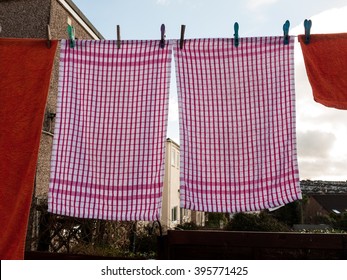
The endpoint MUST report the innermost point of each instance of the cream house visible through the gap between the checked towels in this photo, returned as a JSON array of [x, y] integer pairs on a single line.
[[172, 214]]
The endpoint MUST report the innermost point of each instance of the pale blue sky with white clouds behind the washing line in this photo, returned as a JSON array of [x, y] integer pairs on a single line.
[[321, 131]]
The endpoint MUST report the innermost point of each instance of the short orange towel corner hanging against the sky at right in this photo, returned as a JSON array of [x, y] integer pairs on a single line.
[[326, 66]]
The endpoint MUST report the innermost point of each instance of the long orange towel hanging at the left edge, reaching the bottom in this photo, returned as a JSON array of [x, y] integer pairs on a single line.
[[25, 69]]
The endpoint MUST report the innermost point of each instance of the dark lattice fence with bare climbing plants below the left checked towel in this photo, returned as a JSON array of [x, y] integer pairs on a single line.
[[59, 237]]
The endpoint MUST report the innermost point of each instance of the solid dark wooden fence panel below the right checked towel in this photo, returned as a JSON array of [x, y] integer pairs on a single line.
[[199, 245]]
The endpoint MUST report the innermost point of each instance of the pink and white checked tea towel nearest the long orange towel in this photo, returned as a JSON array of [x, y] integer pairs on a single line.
[[109, 142]]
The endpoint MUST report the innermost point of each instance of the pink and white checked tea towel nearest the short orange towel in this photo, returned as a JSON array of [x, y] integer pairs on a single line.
[[237, 124]]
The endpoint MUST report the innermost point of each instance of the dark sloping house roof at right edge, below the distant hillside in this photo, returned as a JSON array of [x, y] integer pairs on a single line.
[[331, 202]]
